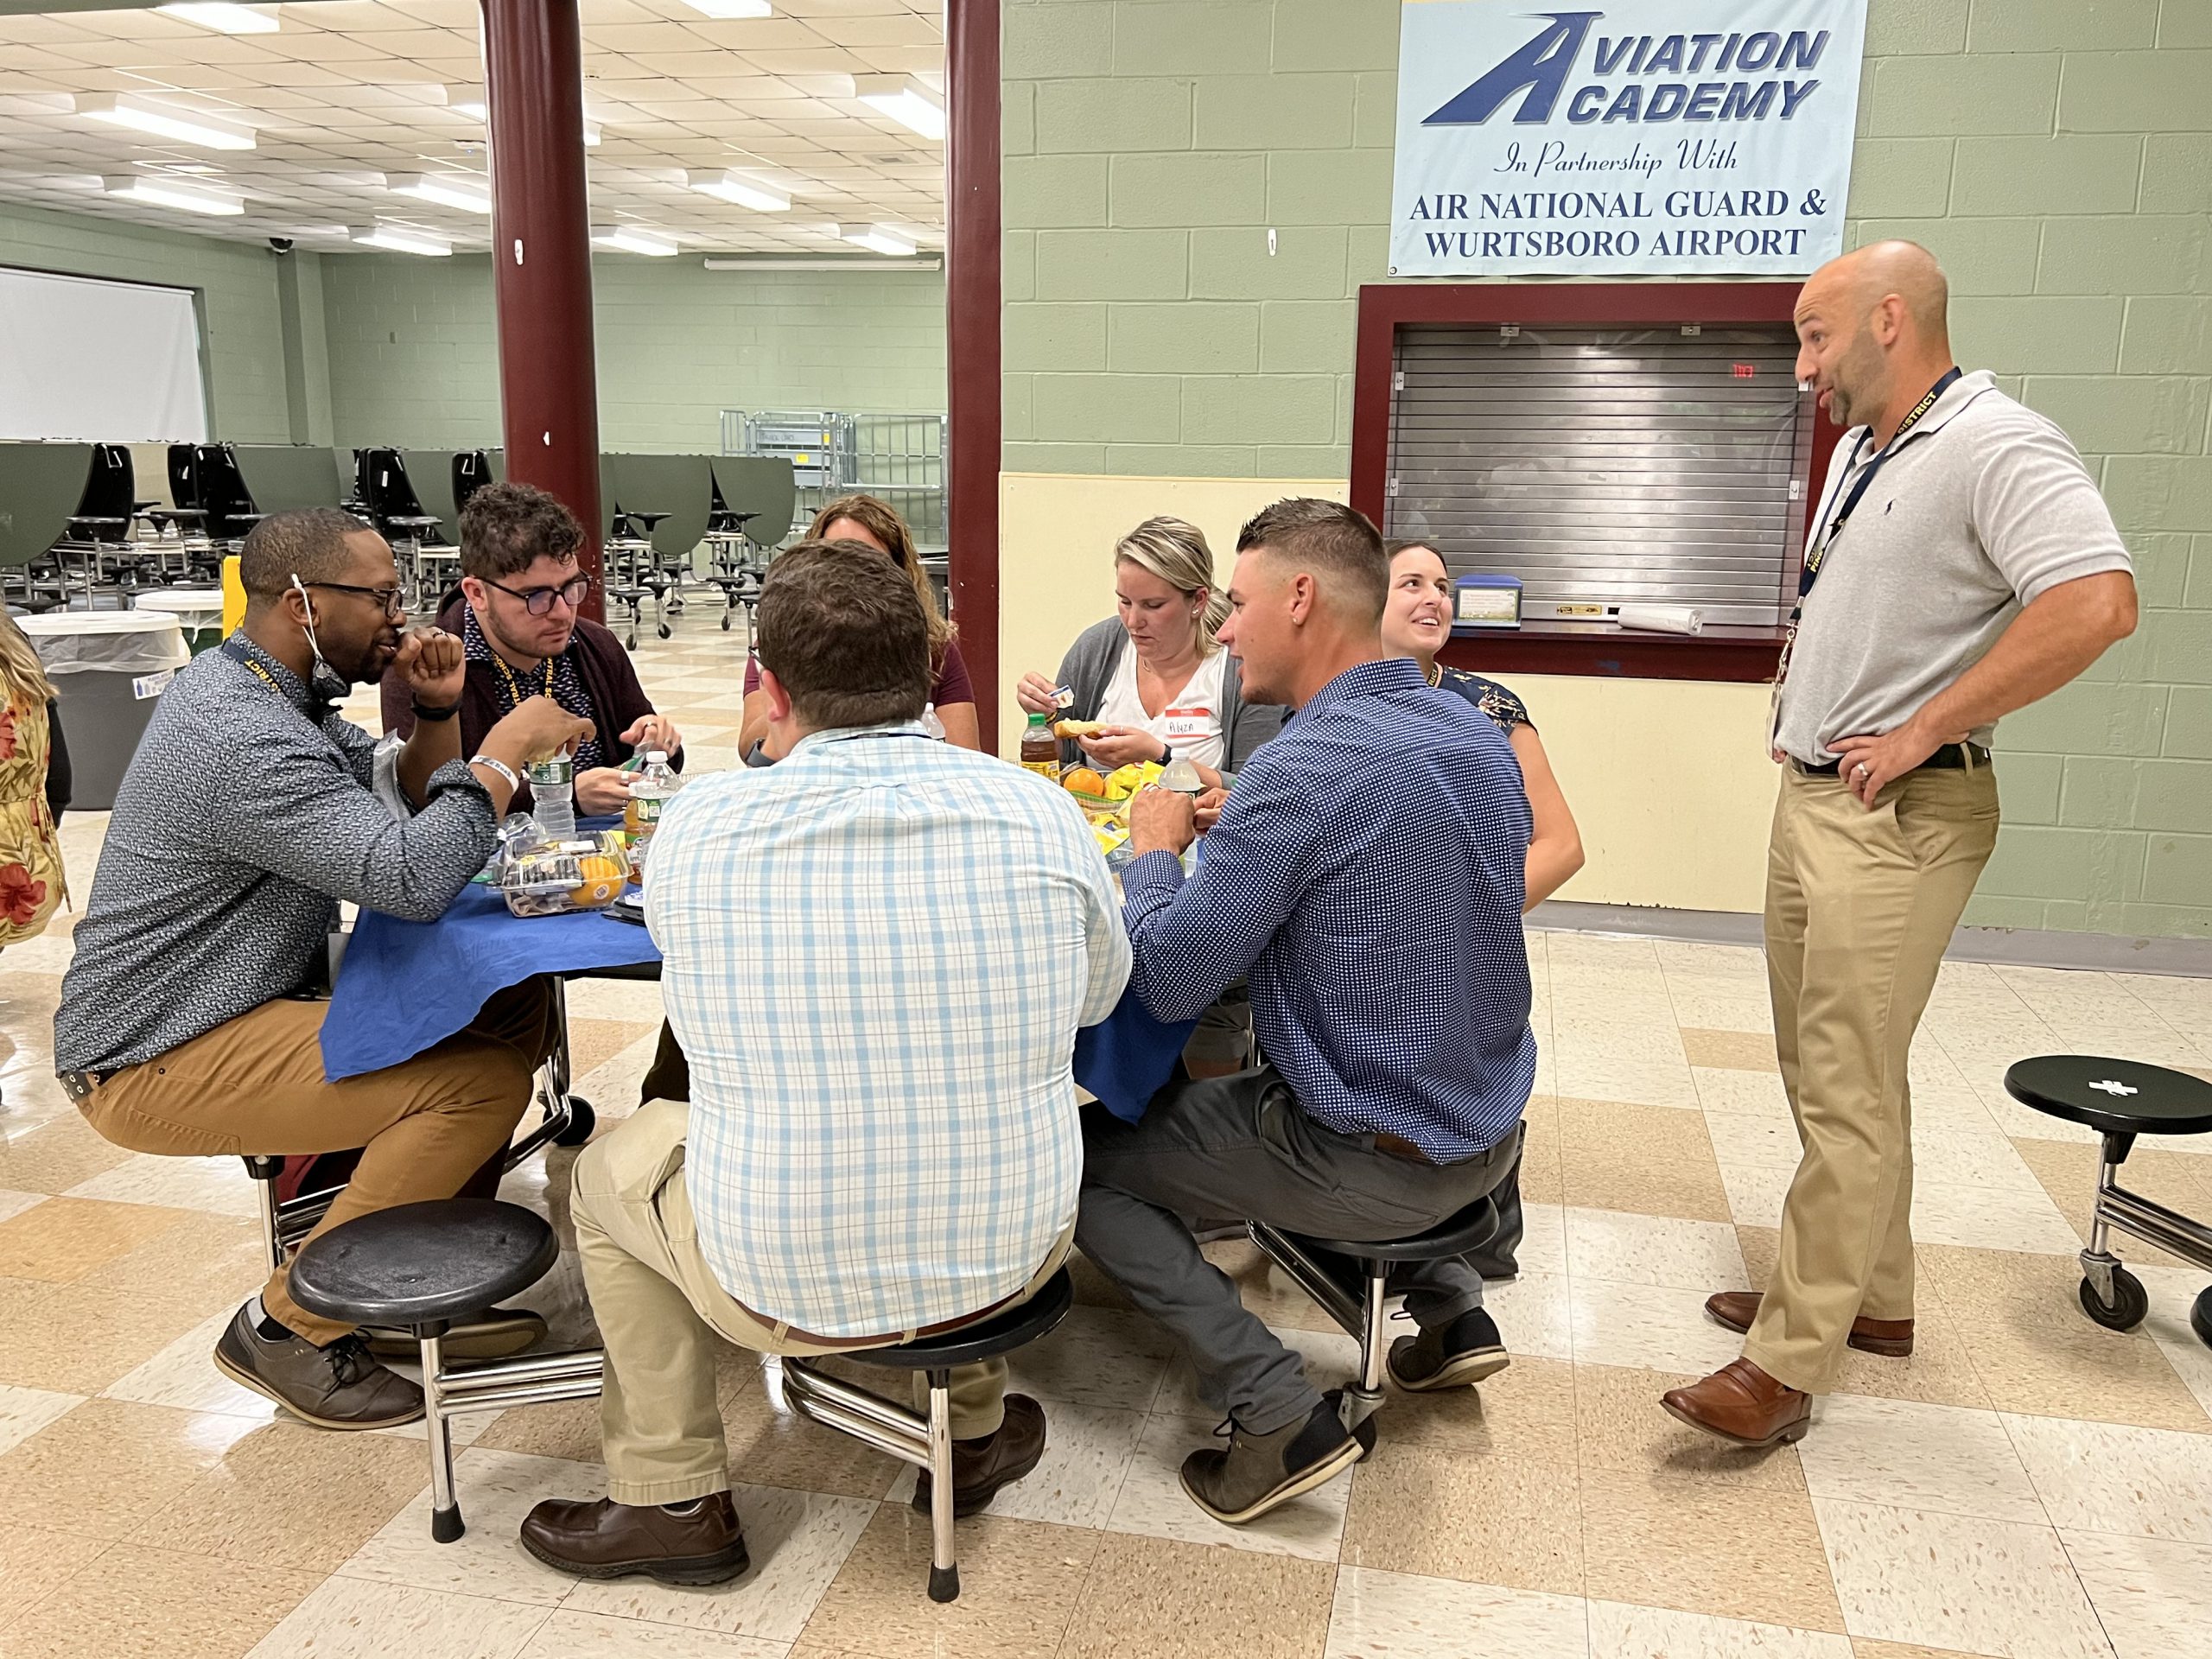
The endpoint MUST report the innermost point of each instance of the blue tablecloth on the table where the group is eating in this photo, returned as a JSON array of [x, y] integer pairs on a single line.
[[408, 988]]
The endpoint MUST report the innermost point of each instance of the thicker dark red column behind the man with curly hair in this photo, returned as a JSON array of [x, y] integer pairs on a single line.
[[541, 258]]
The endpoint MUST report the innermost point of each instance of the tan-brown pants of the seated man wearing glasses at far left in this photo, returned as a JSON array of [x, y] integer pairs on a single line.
[[255, 1087]]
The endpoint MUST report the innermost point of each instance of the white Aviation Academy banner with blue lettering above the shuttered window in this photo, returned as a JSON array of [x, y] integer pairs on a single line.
[[1682, 138]]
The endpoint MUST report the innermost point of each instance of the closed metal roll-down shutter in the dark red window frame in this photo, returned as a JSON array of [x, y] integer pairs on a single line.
[[1607, 466]]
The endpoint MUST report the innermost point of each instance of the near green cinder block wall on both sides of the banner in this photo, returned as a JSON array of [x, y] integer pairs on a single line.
[[2056, 156]]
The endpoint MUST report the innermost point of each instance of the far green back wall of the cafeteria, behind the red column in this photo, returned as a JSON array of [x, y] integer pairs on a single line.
[[415, 351]]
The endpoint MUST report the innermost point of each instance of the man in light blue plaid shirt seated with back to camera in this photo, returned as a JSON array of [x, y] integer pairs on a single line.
[[877, 959]]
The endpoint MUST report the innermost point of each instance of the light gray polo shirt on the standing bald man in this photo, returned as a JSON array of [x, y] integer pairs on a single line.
[[1983, 508]]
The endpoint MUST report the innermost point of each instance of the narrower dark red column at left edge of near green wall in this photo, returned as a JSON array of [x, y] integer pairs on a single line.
[[972, 342]]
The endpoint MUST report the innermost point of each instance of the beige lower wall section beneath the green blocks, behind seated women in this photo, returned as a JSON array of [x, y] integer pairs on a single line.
[[1669, 780]]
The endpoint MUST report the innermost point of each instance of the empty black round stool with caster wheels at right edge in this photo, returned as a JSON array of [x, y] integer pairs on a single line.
[[2120, 1100]]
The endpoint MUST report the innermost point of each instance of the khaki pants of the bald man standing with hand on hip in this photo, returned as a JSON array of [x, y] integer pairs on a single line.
[[1859, 912]]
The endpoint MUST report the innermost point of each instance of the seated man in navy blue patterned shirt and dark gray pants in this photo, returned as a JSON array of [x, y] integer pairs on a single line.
[[1368, 875]]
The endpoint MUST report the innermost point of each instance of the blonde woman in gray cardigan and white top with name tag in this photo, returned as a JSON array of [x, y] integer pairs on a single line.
[[1154, 678]]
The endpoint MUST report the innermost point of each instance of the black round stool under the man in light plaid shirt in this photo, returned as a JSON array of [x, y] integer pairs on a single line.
[[926, 1441]]
